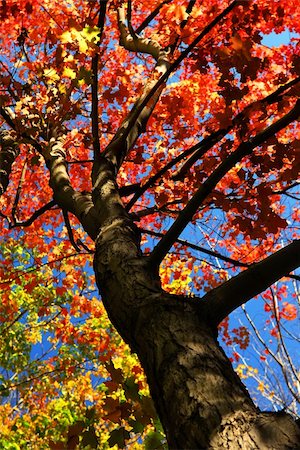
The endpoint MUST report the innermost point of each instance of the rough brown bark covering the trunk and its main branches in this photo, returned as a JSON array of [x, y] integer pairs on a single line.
[[200, 400]]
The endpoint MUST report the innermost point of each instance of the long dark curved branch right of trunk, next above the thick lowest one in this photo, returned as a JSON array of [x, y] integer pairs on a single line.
[[244, 149]]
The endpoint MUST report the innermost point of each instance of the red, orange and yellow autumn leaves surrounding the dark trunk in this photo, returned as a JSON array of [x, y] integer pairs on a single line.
[[209, 178]]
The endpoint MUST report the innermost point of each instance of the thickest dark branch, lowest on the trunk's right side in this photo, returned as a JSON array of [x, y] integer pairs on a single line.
[[224, 299]]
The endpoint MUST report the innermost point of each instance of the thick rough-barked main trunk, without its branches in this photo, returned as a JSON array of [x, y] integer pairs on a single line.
[[199, 398]]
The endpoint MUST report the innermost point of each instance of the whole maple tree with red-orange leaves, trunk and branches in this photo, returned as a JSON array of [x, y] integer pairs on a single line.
[[138, 118]]
